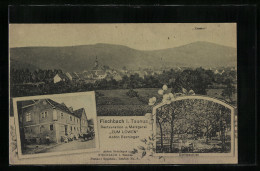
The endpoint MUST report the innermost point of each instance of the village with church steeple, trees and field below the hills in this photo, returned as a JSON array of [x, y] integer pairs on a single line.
[[125, 91]]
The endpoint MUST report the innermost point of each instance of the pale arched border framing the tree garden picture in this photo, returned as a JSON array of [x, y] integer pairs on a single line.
[[233, 152]]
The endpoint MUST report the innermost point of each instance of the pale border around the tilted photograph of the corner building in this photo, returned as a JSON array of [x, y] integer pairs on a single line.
[[21, 156]]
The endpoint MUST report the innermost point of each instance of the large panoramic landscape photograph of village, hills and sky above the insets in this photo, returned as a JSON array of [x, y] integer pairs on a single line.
[[125, 64]]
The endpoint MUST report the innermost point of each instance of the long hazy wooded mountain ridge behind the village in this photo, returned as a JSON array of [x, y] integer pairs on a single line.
[[79, 58]]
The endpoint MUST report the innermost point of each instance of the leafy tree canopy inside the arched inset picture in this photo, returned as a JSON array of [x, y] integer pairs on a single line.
[[196, 119]]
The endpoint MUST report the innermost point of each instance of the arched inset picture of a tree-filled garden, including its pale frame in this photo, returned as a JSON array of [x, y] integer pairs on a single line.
[[194, 124]]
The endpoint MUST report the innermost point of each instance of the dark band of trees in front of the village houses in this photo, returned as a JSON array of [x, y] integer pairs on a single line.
[[38, 82]]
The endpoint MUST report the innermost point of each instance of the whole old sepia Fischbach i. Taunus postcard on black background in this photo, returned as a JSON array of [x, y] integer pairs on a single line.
[[123, 93]]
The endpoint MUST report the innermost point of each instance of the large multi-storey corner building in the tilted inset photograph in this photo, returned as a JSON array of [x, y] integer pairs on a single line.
[[47, 117]]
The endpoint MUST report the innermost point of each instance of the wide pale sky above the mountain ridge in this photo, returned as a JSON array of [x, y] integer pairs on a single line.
[[137, 36]]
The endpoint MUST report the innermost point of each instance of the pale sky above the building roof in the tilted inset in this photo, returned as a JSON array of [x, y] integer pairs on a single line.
[[79, 101]]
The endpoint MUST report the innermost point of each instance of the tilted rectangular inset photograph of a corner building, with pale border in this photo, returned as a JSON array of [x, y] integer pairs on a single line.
[[56, 124]]
